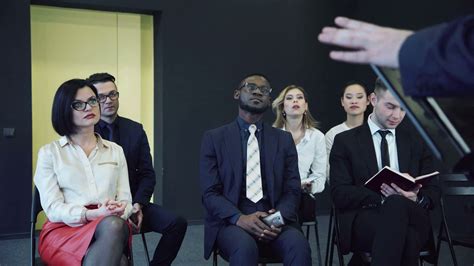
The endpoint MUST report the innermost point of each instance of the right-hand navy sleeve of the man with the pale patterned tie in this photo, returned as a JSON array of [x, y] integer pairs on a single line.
[[289, 201]]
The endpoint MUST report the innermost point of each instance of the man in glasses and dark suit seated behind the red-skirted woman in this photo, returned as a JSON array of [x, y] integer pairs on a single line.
[[131, 136]]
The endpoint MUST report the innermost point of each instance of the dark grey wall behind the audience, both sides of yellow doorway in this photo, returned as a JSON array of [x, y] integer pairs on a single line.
[[203, 50]]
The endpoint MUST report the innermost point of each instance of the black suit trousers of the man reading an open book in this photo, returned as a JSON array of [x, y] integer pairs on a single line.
[[393, 233]]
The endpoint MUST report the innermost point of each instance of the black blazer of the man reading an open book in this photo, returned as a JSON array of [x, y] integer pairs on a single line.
[[353, 161]]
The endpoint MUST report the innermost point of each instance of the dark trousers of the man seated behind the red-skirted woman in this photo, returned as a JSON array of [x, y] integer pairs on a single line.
[[172, 227]]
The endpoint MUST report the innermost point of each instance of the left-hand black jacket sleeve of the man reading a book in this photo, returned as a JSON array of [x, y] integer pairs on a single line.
[[346, 194]]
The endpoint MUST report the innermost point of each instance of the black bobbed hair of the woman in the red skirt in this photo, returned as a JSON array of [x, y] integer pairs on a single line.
[[61, 115]]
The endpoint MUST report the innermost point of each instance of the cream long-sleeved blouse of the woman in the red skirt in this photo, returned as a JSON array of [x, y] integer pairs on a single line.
[[68, 179]]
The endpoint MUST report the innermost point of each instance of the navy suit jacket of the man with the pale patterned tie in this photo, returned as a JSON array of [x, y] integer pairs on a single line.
[[221, 174]]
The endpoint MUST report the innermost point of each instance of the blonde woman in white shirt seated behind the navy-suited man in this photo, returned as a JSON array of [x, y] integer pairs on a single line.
[[292, 115]]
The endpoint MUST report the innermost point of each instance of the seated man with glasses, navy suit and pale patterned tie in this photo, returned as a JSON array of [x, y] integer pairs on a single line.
[[249, 170]]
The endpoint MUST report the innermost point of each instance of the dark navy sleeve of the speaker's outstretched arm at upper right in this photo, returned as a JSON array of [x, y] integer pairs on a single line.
[[439, 61]]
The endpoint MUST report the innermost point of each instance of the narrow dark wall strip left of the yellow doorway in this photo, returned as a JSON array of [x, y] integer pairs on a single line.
[[15, 152]]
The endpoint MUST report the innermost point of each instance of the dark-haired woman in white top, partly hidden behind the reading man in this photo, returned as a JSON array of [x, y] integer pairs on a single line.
[[354, 100]]
